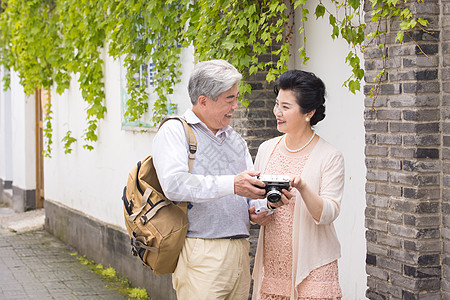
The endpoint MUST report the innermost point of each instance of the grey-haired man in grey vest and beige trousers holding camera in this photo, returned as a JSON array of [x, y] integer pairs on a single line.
[[214, 262]]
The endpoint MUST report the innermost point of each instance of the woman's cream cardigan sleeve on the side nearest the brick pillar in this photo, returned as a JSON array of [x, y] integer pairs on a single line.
[[332, 187]]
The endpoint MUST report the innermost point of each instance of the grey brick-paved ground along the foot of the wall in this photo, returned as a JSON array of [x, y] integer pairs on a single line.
[[36, 265]]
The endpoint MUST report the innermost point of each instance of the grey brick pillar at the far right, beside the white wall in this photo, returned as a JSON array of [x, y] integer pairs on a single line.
[[407, 207]]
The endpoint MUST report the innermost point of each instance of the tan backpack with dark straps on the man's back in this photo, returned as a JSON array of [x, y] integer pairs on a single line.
[[157, 227]]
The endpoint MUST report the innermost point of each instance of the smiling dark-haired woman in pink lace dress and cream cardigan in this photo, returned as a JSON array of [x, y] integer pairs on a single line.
[[298, 247]]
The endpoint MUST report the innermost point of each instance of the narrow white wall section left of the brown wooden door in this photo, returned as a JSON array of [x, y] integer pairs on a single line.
[[23, 139]]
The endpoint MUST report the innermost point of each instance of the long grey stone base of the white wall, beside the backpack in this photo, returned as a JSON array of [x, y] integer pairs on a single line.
[[105, 244]]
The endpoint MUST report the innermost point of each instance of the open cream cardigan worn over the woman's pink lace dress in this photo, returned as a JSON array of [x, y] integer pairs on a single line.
[[314, 243]]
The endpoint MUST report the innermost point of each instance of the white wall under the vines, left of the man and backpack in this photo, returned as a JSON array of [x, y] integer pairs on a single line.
[[92, 181]]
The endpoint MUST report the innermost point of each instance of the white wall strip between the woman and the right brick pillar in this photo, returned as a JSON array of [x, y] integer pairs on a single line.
[[343, 127]]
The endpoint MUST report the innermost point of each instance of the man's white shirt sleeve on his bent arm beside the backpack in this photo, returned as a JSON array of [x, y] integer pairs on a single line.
[[170, 157]]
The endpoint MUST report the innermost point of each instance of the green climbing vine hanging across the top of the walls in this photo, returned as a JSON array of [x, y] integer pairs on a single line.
[[47, 42]]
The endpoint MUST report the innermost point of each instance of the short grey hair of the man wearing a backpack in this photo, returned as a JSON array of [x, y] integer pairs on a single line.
[[211, 78]]
